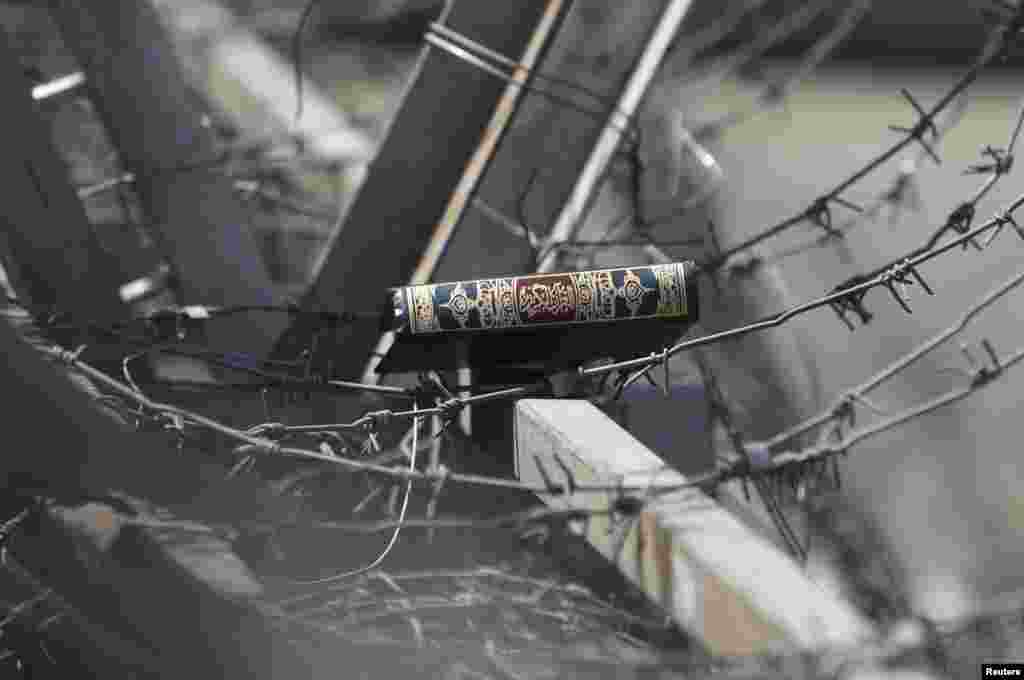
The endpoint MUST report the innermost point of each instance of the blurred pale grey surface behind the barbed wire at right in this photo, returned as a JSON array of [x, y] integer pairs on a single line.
[[946, 486]]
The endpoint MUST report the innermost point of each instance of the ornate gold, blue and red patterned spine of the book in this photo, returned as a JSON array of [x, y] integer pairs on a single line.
[[536, 302]]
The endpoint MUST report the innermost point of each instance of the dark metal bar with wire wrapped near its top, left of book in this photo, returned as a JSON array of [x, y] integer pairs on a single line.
[[444, 116]]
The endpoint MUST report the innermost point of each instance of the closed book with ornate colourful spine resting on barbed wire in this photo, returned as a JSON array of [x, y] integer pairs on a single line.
[[546, 321]]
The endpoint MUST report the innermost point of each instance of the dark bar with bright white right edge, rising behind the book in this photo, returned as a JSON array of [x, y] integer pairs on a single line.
[[549, 149]]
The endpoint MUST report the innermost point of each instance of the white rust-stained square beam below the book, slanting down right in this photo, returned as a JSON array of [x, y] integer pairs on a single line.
[[720, 581]]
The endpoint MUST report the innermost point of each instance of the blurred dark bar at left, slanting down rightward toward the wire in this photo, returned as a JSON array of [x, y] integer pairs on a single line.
[[157, 127]]
